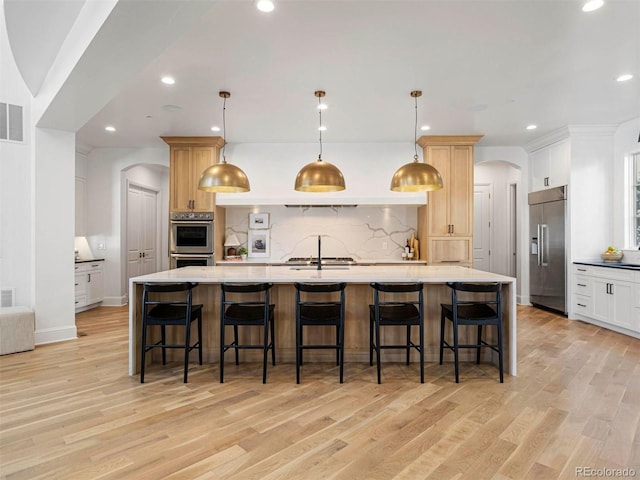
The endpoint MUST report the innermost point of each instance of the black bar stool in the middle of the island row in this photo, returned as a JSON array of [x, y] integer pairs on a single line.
[[328, 313]]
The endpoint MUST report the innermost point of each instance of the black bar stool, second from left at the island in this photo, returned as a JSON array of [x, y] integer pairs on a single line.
[[236, 312]]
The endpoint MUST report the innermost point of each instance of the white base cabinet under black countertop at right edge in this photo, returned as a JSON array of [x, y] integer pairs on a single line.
[[609, 295]]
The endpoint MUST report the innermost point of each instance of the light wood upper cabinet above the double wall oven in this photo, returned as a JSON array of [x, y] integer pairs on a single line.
[[189, 157]]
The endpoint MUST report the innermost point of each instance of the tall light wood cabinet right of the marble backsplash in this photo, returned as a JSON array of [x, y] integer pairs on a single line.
[[445, 224]]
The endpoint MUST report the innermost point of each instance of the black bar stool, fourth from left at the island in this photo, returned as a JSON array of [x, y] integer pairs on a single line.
[[396, 313]]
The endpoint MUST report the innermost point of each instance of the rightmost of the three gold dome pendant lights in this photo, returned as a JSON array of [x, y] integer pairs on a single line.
[[416, 176]]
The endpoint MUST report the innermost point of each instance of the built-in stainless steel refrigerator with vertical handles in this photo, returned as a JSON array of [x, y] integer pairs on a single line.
[[547, 260]]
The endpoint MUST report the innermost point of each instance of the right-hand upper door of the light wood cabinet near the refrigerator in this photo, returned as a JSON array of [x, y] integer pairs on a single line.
[[461, 191]]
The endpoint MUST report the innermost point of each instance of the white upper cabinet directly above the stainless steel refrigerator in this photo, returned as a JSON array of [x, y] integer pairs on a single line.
[[550, 166]]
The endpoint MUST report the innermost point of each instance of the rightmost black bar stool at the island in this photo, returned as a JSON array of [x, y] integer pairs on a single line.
[[474, 312]]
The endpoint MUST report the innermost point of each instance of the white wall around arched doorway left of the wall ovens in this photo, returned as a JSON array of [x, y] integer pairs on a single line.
[[108, 170]]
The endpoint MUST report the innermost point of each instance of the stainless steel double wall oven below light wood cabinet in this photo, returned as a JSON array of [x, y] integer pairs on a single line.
[[191, 239]]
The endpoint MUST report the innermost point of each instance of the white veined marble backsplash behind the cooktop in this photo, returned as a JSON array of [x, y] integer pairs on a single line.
[[365, 233]]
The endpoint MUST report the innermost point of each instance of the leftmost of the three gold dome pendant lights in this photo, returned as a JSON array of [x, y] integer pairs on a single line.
[[224, 177]]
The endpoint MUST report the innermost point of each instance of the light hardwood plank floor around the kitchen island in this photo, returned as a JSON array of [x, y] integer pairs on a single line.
[[69, 411]]
